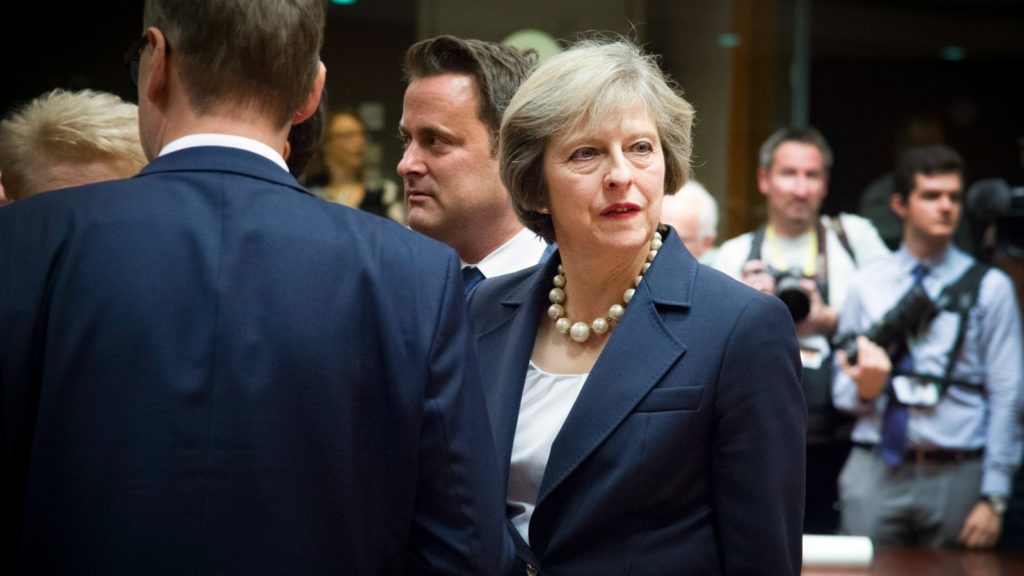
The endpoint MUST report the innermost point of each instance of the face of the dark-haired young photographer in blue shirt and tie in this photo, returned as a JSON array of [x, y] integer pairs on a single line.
[[933, 209]]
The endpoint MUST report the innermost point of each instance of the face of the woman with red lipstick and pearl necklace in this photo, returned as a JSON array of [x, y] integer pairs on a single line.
[[606, 189]]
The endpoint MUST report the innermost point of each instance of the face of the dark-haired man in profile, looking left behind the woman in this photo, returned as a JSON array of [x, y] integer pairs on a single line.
[[450, 175]]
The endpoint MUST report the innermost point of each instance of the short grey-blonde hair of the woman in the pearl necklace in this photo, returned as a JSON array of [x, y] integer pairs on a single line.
[[576, 91]]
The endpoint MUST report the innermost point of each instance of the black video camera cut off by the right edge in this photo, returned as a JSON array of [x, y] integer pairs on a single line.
[[993, 200]]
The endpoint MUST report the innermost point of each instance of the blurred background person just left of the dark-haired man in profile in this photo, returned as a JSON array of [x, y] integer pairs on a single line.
[[339, 174]]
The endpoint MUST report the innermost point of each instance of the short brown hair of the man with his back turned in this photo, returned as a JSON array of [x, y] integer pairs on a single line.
[[232, 56]]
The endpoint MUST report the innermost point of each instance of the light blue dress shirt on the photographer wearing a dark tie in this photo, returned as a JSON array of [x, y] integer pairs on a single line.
[[992, 357]]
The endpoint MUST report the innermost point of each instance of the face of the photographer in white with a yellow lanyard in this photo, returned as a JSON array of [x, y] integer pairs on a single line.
[[796, 185]]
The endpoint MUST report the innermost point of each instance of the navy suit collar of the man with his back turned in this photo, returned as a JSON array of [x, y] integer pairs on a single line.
[[222, 159]]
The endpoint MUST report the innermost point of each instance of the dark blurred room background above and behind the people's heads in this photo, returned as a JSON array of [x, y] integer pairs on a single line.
[[871, 74]]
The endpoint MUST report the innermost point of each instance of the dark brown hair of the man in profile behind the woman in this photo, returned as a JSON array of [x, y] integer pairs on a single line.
[[497, 69]]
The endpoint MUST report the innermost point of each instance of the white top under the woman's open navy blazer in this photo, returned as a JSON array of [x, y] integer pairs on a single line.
[[547, 400]]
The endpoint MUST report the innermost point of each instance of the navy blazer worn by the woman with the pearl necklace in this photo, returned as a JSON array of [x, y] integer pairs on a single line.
[[685, 452]]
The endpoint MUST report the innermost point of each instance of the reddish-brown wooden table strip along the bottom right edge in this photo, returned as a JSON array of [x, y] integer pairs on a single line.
[[927, 562]]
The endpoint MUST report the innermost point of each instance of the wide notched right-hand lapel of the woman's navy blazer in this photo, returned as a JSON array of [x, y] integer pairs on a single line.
[[641, 351]]
